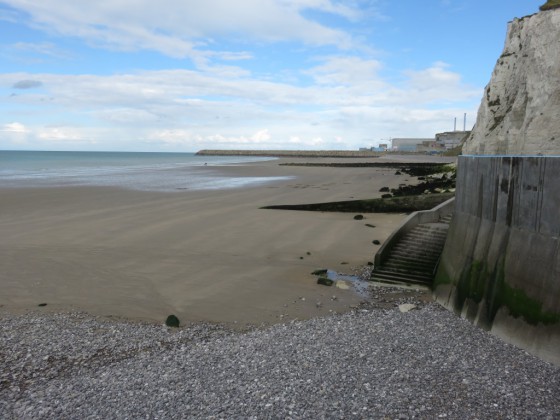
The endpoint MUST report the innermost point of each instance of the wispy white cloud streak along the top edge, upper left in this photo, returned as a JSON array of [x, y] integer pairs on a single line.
[[178, 28]]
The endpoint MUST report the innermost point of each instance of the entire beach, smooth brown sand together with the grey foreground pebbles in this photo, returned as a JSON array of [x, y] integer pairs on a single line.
[[103, 259]]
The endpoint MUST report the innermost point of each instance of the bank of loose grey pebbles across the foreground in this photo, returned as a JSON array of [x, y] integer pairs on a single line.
[[379, 363]]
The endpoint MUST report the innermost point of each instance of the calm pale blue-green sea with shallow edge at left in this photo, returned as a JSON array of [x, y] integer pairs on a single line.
[[140, 171]]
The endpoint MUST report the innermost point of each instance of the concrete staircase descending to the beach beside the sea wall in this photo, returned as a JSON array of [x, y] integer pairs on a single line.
[[414, 256]]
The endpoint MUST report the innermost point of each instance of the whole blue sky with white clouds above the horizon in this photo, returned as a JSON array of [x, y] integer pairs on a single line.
[[185, 75]]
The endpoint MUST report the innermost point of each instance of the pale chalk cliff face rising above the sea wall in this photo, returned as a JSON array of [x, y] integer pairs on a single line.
[[520, 110]]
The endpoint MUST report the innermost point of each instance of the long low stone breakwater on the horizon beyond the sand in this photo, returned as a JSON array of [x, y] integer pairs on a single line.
[[292, 153]]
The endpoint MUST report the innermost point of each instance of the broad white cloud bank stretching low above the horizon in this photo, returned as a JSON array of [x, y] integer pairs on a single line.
[[347, 103]]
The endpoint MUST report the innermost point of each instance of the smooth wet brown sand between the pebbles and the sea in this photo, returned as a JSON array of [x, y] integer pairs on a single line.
[[201, 255]]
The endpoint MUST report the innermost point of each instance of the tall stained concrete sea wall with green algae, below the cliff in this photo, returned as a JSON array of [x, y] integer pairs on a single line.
[[500, 267]]
